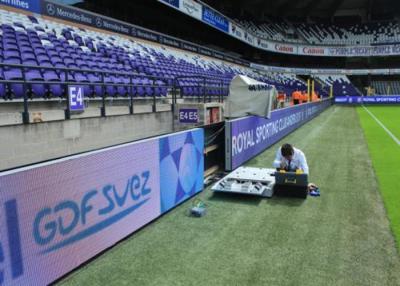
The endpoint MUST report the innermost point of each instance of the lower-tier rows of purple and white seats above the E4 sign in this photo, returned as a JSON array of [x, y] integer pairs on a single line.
[[97, 57]]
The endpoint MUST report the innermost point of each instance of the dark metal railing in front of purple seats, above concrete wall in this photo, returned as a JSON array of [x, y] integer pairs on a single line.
[[171, 85]]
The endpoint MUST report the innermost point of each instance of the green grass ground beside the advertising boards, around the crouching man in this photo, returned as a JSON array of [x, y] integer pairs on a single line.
[[341, 238]]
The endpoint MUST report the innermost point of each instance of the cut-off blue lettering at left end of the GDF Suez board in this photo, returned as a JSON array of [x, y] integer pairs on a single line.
[[11, 261]]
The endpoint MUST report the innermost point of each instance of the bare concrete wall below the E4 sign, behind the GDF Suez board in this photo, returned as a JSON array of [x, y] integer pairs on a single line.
[[31, 143]]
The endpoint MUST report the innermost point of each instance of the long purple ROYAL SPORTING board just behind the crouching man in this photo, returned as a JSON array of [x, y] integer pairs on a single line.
[[247, 137]]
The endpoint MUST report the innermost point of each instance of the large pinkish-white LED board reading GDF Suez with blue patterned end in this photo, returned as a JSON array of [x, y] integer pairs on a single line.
[[55, 216]]
